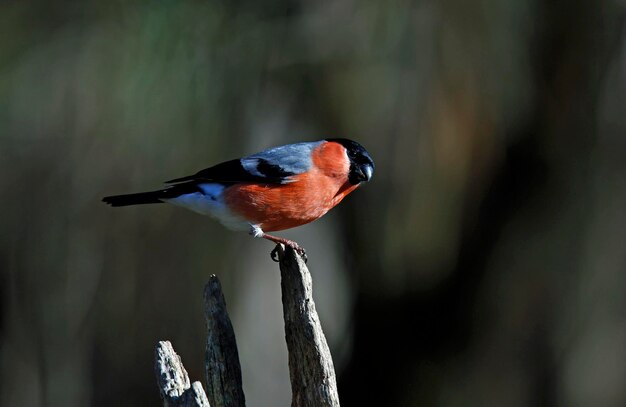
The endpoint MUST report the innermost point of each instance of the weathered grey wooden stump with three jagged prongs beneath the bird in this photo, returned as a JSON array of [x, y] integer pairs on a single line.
[[311, 370]]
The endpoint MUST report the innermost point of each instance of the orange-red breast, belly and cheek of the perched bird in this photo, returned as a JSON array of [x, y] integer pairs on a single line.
[[308, 197]]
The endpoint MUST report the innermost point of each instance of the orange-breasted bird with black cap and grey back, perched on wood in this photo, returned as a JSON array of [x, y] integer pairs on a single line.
[[276, 189]]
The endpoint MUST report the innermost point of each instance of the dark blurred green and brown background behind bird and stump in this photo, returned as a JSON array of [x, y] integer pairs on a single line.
[[484, 265]]
